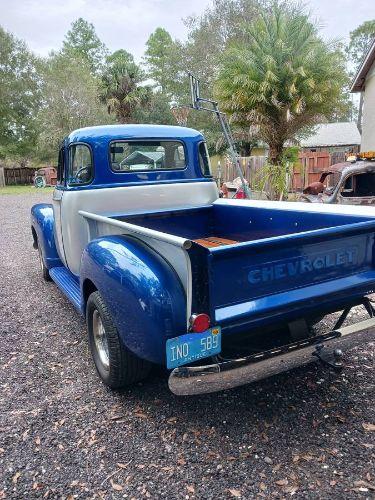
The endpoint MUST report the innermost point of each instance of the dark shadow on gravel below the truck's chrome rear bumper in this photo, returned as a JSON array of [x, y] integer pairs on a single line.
[[297, 406]]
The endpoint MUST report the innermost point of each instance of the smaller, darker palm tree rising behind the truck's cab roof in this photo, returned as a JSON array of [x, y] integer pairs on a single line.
[[122, 91]]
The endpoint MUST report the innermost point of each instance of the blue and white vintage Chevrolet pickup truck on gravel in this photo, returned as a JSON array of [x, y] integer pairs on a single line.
[[221, 292]]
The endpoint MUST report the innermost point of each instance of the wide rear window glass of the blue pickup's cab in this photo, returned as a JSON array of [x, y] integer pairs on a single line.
[[135, 156]]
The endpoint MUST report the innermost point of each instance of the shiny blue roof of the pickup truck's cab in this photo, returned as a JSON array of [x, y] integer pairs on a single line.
[[107, 133]]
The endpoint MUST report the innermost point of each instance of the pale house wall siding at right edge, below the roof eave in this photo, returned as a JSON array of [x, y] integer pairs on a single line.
[[368, 124]]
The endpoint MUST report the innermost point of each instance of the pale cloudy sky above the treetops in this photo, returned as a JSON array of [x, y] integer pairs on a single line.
[[128, 23]]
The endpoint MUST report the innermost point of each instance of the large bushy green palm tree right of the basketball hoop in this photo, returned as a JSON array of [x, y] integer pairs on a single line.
[[281, 77]]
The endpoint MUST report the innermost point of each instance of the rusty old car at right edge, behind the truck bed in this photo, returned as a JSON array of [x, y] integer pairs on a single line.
[[351, 183]]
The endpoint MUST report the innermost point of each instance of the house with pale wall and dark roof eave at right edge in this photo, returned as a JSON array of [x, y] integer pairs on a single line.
[[364, 81]]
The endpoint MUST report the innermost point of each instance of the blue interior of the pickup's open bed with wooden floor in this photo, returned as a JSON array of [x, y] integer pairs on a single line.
[[235, 223]]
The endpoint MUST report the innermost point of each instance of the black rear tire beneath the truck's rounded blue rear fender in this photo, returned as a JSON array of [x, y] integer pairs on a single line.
[[123, 367]]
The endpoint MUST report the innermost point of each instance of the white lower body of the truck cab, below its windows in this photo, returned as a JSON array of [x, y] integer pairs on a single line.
[[124, 200]]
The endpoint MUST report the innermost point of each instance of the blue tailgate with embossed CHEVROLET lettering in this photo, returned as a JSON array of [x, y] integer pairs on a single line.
[[252, 278]]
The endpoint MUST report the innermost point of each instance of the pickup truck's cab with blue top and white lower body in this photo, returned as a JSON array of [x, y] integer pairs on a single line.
[[126, 168]]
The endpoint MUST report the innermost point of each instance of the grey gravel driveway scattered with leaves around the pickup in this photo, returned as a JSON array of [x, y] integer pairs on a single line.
[[63, 434]]
